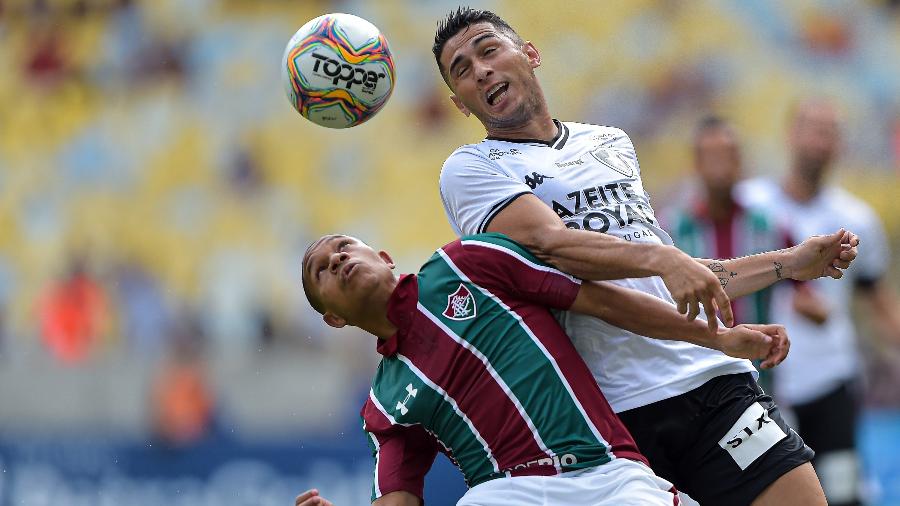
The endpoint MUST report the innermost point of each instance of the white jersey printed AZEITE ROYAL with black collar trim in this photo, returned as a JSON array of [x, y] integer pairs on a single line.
[[589, 175]]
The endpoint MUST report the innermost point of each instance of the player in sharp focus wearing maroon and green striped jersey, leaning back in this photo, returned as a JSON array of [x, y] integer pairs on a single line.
[[475, 366]]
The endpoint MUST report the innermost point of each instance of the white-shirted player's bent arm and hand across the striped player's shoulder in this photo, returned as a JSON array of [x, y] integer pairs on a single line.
[[589, 255]]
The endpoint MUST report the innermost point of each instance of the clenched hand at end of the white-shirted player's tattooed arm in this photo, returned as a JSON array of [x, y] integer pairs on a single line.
[[822, 255]]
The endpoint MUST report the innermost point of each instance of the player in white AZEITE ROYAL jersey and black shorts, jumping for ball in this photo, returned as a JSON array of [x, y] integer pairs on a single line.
[[551, 185]]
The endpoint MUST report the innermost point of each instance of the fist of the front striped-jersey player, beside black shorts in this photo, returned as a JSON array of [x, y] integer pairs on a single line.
[[767, 342]]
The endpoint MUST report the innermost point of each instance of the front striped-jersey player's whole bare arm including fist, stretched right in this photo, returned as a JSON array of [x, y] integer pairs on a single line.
[[650, 316]]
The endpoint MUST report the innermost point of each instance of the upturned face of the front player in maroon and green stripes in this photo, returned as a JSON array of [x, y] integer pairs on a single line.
[[343, 274]]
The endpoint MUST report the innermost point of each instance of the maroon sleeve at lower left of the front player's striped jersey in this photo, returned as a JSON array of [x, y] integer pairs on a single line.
[[403, 454]]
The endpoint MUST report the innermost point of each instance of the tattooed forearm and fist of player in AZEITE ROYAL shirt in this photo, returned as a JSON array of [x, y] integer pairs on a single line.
[[818, 256]]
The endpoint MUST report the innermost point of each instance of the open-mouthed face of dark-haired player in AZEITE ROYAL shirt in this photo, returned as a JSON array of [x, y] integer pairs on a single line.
[[491, 76]]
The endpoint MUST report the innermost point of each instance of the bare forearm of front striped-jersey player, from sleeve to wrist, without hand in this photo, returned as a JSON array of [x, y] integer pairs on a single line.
[[640, 313]]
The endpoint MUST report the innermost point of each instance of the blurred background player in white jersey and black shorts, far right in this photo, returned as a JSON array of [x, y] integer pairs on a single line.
[[819, 382]]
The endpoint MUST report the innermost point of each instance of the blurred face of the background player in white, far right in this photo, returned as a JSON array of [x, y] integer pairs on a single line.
[[814, 137]]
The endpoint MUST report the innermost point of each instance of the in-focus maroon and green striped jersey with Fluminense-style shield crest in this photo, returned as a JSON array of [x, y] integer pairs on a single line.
[[480, 370]]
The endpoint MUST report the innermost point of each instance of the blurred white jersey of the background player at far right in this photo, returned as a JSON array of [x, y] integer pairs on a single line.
[[822, 356]]
